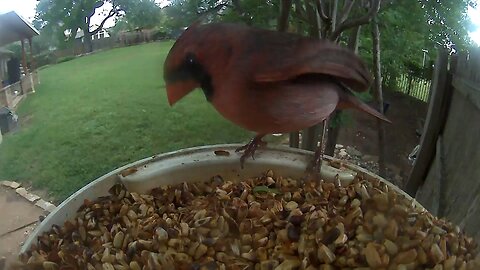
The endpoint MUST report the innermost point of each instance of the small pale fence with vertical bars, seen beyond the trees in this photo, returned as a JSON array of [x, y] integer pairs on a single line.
[[414, 86]]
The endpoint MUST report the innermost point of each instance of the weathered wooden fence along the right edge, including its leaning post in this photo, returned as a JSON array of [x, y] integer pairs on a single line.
[[446, 175]]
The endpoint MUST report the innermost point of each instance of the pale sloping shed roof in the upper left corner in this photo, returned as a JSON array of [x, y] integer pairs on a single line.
[[14, 28]]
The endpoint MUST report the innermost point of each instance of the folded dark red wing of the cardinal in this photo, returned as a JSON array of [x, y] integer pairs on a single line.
[[313, 57]]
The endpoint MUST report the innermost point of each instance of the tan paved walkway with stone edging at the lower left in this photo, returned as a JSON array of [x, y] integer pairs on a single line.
[[20, 213]]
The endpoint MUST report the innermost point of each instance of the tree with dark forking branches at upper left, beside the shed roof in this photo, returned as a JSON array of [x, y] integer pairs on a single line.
[[65, 16]]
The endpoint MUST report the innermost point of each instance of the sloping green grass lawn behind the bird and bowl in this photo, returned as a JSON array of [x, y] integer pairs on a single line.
[[95, 113]]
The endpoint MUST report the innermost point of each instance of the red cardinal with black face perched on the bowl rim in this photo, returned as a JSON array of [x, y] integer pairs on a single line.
[[265, 81]]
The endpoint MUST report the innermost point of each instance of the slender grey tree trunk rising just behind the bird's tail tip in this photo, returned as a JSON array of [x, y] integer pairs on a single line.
[[378, 95]]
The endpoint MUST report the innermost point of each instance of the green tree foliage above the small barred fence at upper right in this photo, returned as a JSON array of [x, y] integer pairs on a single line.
[[407, 28]]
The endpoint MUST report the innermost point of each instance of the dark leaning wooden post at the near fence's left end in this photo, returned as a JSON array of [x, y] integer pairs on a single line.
[[437, 110]]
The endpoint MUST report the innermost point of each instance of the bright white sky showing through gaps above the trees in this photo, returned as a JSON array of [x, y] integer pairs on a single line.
[[26, 9]]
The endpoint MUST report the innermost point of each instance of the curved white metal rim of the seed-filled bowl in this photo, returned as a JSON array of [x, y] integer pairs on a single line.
[[197, 164]]
